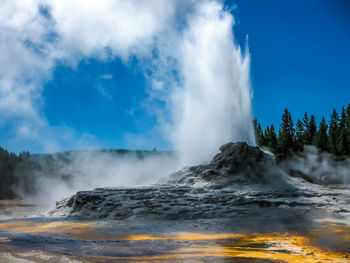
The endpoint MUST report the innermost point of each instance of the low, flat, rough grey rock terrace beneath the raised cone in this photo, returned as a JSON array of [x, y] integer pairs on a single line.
[[195, 203]]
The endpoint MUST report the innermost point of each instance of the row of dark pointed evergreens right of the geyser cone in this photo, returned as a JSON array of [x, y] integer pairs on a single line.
[[331, 136]]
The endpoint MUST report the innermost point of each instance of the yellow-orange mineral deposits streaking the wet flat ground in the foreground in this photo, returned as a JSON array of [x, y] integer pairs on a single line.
[[286, 247]]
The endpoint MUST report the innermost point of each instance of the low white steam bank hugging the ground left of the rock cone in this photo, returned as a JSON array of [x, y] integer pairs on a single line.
[[87, 170]]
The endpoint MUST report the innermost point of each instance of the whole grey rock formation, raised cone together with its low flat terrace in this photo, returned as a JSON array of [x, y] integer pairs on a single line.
[[240, 181]]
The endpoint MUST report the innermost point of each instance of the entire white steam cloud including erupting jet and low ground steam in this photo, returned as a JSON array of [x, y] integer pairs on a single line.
[[186, 48]]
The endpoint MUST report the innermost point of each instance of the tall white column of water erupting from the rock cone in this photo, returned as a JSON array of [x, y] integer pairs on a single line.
[[214, 105]]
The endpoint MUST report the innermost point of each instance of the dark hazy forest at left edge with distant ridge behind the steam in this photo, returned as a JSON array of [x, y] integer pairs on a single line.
[[19, 173]]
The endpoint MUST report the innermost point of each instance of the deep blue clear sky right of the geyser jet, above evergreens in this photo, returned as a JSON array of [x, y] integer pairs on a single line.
[[300, 55]]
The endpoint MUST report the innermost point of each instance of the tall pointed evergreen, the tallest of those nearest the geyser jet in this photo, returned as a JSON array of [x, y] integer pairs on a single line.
[[286, 133]]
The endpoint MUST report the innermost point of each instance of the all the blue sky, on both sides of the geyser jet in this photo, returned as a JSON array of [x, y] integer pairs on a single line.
[[300, 59]]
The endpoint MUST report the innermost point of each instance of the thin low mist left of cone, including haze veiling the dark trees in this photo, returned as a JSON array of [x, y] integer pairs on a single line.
[[55, 176]]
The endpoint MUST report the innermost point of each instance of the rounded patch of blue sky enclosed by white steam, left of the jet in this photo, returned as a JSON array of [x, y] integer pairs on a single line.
[[100, 99]]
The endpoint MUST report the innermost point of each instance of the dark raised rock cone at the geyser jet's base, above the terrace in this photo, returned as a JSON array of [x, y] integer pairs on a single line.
[[235, 164]]
